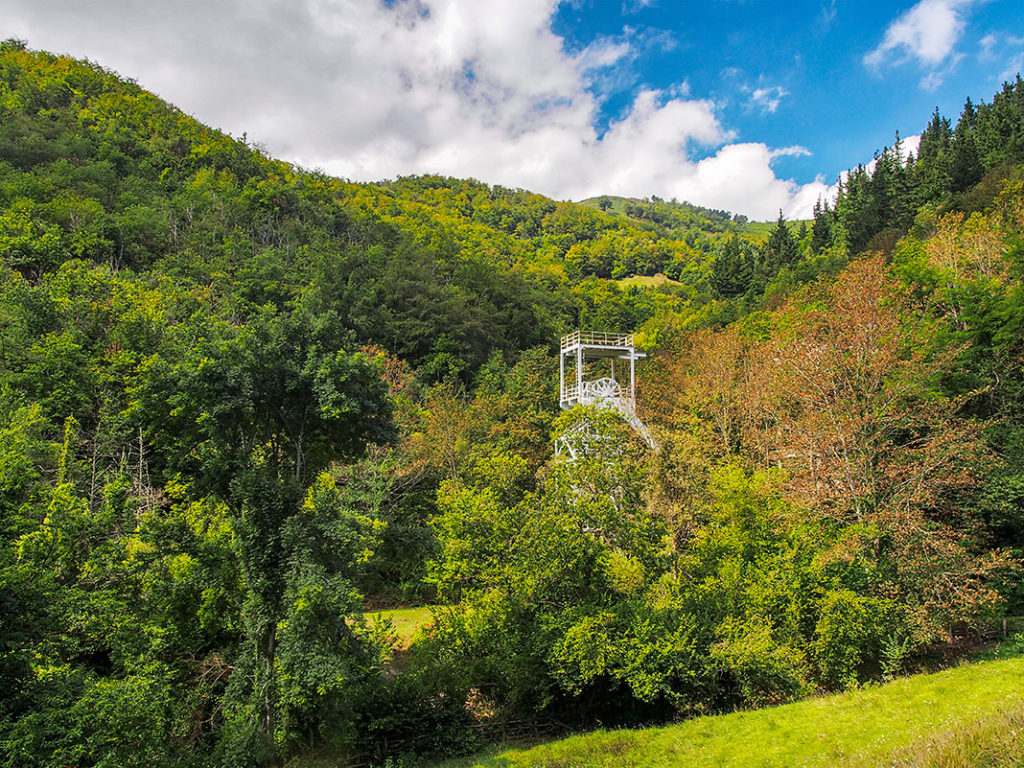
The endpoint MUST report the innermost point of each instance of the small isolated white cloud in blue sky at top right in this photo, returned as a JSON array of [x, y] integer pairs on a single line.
[[928, 32]]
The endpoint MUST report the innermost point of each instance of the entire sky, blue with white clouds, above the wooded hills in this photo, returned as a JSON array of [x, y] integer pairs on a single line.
[[753, 107]]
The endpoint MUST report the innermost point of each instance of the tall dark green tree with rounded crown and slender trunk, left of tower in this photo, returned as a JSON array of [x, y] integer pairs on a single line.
[[255, 416]]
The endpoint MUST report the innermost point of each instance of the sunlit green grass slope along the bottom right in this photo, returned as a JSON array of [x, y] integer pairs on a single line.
[[971, 714]]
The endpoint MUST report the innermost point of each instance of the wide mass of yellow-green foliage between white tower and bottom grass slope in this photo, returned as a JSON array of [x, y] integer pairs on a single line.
[[592, 605]]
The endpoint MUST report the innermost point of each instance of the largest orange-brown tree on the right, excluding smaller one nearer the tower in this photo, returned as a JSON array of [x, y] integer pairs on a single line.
[[845, 400]]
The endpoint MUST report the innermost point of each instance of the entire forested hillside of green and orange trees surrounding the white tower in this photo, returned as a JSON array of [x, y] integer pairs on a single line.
[[243, 403]]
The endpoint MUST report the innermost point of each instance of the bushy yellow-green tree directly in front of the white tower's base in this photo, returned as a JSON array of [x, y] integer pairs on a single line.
[[547, 580]]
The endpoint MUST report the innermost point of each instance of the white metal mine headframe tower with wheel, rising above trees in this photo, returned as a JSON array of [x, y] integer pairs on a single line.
[[588, 376]]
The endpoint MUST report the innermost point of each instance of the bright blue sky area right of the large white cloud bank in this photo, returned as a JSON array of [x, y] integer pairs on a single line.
[[796, 73]]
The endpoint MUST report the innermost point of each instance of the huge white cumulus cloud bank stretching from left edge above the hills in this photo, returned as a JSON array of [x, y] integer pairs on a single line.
[[370, 91]]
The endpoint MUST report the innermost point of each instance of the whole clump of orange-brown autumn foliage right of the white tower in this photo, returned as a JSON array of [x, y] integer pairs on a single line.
[[841, 389]]
